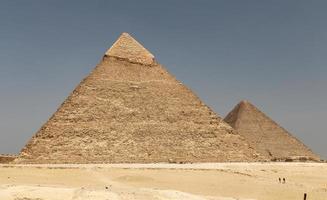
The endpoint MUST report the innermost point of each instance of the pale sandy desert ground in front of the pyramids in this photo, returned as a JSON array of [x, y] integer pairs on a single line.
[[213, 181]]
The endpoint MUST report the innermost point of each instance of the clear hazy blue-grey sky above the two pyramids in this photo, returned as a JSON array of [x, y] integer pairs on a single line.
[[273, 53]]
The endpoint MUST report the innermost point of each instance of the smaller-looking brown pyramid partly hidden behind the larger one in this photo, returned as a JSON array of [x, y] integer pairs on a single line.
[[268, 138]]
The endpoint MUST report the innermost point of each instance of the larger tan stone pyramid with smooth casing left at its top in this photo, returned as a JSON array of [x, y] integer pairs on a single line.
[[131, 110]]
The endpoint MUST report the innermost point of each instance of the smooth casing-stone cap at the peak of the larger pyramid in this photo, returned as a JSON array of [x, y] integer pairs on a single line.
[[126, 47]]
